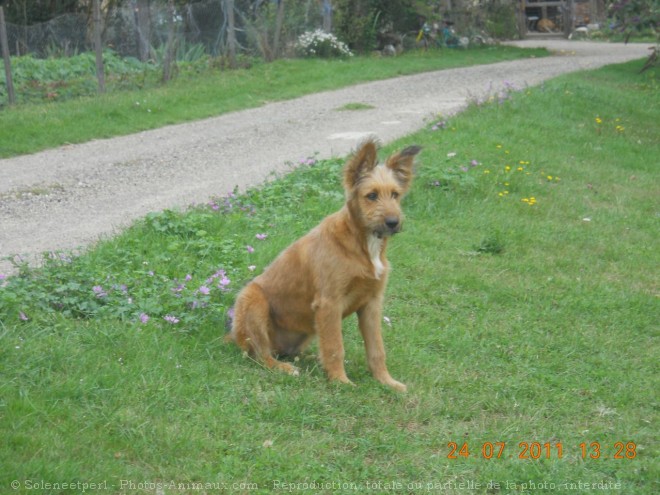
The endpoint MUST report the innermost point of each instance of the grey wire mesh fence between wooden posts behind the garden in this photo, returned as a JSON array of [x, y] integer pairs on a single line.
[[140, 29]]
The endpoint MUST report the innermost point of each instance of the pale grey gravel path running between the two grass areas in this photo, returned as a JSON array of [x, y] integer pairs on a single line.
[[69, 197]]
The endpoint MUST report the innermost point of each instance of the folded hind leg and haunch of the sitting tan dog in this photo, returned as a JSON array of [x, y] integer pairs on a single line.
[[252, 328]]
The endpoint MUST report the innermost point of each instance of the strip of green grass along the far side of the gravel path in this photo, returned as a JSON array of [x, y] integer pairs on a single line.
[[33, 127]]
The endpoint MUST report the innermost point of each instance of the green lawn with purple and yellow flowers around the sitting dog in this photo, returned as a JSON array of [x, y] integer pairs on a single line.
[[511, 321]]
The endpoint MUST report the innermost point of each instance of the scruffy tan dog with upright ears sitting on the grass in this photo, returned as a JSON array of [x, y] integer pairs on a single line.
[[337, 269]]
